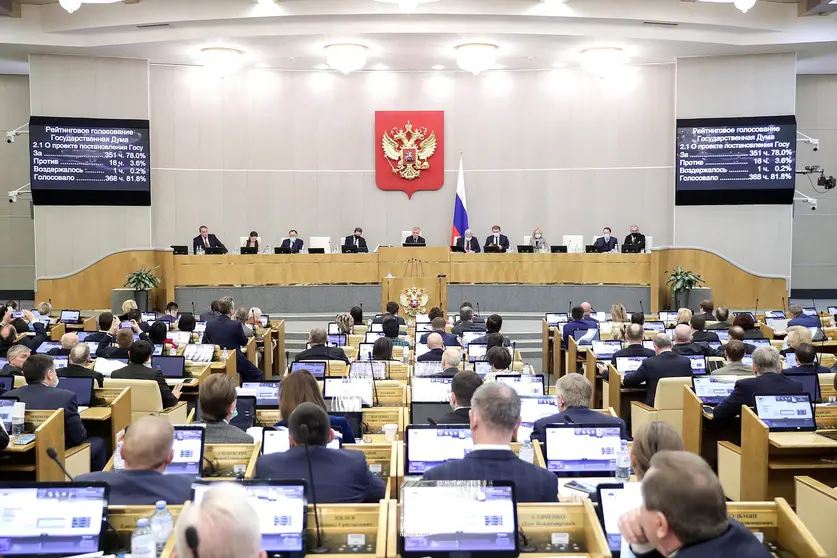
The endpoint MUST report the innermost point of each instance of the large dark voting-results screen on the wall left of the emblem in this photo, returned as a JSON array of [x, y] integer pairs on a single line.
[[89, 161]]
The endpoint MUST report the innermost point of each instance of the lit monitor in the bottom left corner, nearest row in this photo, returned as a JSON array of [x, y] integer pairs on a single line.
[[52, 518]]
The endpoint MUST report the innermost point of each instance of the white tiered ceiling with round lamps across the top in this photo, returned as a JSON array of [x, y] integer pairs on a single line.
[[531, 34]]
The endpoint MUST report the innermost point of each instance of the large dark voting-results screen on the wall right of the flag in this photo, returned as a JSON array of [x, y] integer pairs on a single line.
[[729, 161]]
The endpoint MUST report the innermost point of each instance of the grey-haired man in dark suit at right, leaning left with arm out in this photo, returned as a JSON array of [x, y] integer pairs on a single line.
[[768, 381]]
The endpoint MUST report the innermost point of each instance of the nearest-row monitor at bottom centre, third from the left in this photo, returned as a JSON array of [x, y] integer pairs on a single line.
[[489, 528]]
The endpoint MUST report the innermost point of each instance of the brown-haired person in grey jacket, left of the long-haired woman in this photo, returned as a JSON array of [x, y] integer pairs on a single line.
[[218, 401]]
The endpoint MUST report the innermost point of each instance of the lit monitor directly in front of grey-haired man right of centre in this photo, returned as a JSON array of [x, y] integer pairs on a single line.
[[582, 451]]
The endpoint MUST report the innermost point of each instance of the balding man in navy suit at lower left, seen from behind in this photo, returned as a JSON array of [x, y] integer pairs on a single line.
[[147, 451]]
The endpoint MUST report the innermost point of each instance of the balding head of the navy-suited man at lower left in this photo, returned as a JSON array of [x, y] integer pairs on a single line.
[[148, 444]]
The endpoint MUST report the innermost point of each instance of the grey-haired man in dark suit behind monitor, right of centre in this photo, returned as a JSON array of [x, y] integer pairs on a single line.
[[574, 393]]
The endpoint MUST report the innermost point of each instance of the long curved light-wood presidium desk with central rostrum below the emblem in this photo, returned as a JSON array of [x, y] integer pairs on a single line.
[[428, 268]]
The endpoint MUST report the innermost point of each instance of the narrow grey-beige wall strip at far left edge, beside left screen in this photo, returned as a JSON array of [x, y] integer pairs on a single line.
[[17, 250]]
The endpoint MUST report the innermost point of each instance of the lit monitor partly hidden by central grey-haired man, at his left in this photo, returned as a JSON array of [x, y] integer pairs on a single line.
[[426, 446]]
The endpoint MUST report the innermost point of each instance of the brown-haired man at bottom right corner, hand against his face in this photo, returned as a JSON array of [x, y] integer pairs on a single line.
[[684, 512]]
